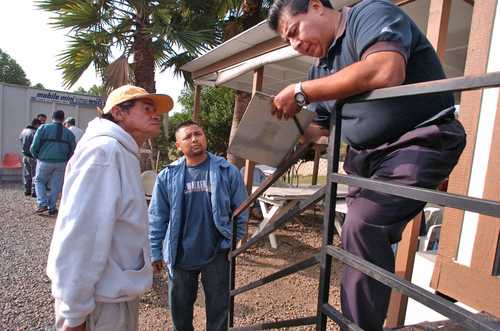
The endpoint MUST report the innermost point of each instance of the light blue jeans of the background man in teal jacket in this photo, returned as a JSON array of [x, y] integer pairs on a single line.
[[52, 174]]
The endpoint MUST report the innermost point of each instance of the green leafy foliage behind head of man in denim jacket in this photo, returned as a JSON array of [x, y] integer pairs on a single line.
[[216, 115]]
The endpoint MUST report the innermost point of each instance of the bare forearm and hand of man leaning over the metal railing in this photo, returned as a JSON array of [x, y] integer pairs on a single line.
[[378, 70]]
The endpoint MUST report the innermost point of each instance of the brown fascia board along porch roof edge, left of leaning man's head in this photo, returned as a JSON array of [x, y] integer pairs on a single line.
[[259, 49]]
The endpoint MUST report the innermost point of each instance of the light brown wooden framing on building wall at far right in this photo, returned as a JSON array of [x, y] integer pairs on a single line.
[[474, 285]]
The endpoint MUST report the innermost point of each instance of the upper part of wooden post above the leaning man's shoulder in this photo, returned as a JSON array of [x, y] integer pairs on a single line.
[[437, 25]]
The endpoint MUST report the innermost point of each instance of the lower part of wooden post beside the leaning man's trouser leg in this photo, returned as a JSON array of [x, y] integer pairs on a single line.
[[405, 259]]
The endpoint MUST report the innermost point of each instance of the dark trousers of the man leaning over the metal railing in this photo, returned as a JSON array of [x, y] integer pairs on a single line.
[[423, 157]]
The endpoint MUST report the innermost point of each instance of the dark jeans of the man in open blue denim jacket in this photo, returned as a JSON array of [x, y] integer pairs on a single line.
[[183, 288]]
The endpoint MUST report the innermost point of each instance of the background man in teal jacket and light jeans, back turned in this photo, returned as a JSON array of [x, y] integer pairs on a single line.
[[52, 146]]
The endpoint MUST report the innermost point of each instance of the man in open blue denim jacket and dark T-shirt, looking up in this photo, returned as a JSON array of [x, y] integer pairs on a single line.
[[191, 207]]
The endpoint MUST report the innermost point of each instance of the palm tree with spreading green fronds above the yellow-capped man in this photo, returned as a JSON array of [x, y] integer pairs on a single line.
[[153, 34]]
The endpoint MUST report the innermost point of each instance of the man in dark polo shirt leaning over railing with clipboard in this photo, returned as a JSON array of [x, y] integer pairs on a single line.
[[412, 140]]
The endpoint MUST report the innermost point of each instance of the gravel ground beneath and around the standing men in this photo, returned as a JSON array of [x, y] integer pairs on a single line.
[[26, 303]]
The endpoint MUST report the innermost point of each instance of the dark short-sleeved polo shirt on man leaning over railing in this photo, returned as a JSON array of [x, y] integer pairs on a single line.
[[369, 27]]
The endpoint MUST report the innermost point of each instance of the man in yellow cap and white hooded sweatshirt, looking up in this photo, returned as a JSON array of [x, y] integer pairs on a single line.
[[99, 256]]
